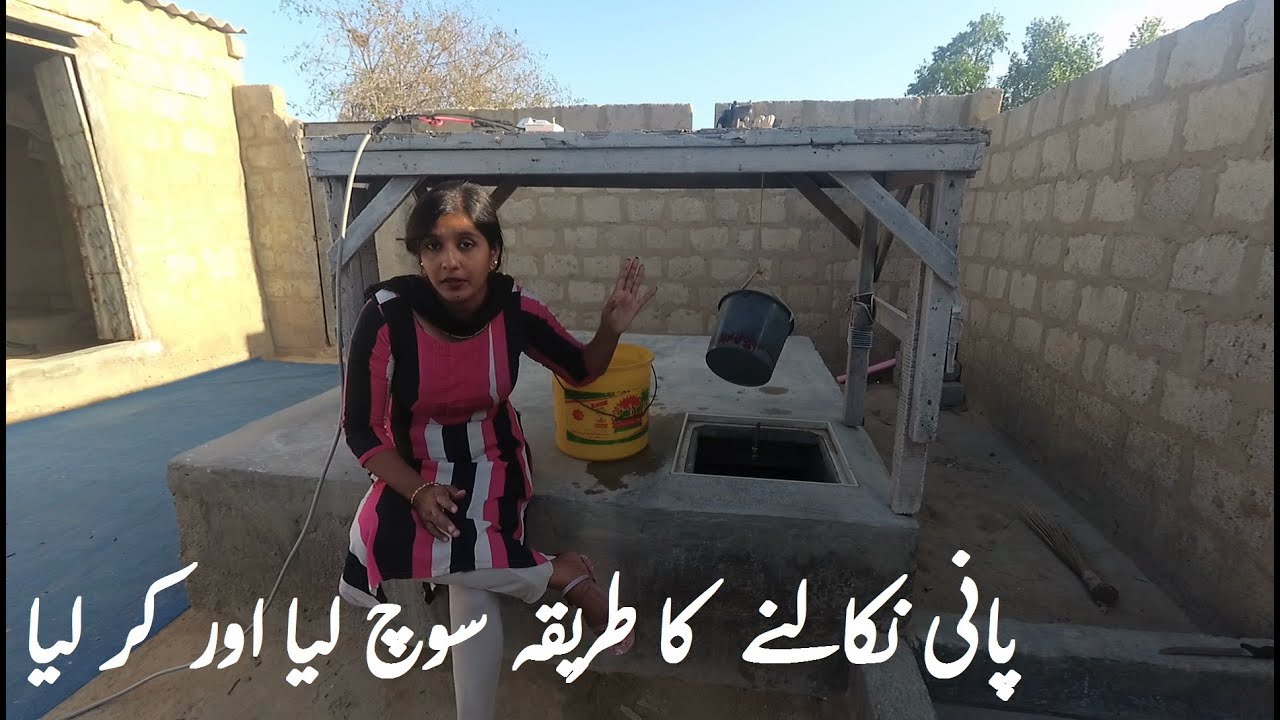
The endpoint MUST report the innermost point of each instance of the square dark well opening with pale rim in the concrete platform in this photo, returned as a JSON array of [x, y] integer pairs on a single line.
[[762, 449]]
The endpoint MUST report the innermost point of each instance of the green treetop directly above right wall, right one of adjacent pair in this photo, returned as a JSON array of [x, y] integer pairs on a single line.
[[1050, 58]]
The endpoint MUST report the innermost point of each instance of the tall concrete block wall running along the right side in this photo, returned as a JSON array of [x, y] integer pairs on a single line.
[[1117, 265]]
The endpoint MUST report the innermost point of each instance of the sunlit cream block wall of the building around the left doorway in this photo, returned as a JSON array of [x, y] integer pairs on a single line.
[[171, 156]]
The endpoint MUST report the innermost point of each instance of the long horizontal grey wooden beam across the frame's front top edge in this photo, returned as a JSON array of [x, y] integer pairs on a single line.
[[729, 160]]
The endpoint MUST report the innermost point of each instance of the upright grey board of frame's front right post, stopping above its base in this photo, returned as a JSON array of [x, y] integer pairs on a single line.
[[934, 323]]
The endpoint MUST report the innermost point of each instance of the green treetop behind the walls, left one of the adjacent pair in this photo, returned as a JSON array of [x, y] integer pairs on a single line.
[[963, 66]]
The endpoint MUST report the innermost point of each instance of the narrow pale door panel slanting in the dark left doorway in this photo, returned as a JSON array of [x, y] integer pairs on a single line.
[[77, 158]]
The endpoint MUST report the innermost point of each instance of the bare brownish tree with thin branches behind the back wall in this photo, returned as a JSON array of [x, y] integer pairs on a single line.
[[381, 58]]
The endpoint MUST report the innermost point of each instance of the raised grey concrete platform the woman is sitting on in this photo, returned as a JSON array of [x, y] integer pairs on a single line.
[[241, 502]]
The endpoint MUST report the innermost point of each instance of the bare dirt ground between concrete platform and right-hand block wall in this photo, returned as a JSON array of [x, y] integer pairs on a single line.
[[975, 490]]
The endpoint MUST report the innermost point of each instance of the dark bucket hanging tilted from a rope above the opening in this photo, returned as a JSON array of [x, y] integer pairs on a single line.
[[749, 336]]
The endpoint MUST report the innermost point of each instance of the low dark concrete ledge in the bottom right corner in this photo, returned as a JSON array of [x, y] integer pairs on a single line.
[[1101, 673]]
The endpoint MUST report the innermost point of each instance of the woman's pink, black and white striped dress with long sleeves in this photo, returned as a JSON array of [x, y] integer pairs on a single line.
[[445, 407]]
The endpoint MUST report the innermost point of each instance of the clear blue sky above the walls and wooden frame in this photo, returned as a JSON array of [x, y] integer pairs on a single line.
[[707, 53]]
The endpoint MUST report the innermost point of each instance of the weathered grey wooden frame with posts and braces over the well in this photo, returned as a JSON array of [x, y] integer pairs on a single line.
[[868, 163]]
